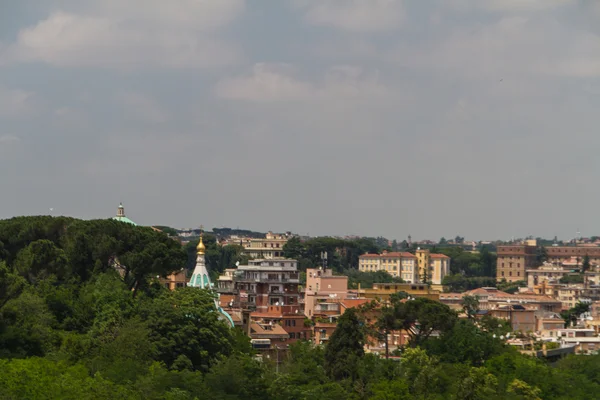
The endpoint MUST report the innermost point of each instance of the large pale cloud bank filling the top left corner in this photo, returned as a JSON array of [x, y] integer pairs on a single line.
[[130, 34]]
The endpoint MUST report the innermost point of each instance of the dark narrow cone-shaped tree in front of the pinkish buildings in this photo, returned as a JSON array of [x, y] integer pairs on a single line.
[[345, 347]]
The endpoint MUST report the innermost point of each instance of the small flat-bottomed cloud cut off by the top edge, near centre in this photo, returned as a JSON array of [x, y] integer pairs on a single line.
[[354, 15]]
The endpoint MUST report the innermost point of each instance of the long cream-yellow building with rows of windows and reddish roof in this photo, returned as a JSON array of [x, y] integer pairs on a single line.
[[411, 268]]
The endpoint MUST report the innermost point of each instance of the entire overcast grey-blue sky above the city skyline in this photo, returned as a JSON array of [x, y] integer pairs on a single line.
[[477, 118]]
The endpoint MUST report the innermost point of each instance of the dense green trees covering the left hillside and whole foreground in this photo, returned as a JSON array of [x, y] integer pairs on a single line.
[[82, 316]]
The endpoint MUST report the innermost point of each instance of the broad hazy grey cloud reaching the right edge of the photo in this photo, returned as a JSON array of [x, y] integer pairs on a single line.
[[513, 45]]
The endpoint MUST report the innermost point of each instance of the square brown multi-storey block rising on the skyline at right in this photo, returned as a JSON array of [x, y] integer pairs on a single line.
[[514, 260]]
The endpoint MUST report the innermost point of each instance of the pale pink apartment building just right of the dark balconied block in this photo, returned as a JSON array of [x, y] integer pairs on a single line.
[[321, 292]]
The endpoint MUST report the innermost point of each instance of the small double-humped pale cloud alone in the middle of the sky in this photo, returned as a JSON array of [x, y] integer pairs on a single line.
[[276, 82]]
